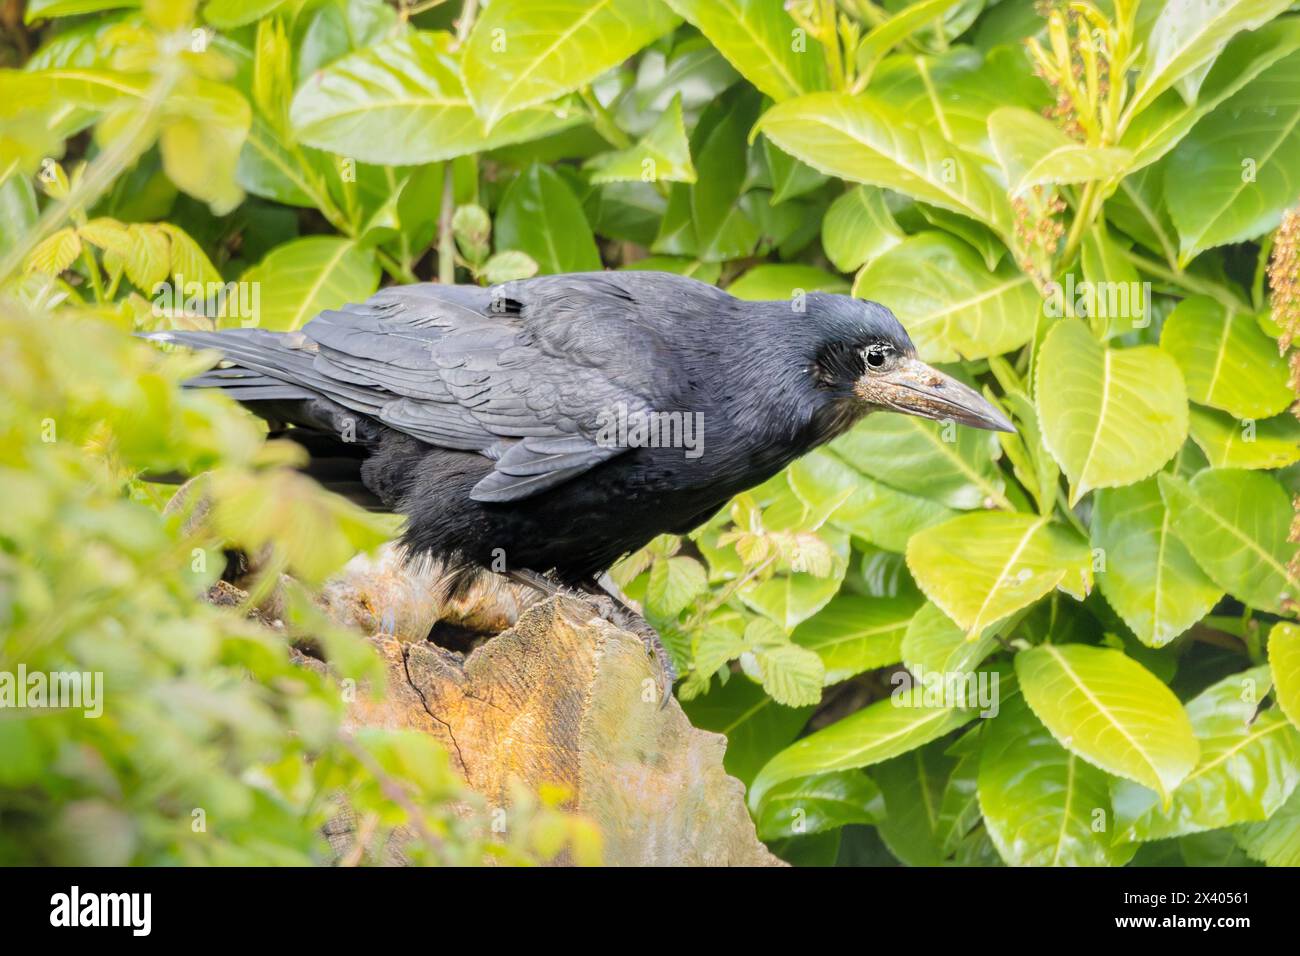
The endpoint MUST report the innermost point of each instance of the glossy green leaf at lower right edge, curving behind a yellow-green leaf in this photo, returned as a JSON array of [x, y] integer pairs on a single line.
[[1250, 765]]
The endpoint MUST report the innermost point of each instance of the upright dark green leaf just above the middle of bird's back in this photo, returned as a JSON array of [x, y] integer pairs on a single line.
[[541, 217]]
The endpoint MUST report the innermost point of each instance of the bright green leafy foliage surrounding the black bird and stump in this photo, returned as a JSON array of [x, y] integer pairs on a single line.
[[1074, 207]]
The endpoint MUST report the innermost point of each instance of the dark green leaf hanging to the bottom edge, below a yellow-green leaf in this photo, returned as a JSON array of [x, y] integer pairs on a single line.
[[1042, 803]]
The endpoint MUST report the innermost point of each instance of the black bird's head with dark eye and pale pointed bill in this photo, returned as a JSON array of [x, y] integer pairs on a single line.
[[866, 361]]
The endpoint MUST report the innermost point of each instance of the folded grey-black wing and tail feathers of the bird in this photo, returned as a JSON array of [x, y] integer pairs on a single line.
[[457, 367]]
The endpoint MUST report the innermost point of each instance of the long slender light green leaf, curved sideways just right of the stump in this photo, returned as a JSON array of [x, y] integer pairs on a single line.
[[872, 736]]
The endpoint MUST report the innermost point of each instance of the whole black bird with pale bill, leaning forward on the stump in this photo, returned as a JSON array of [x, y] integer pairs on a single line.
[[515, 427]]
